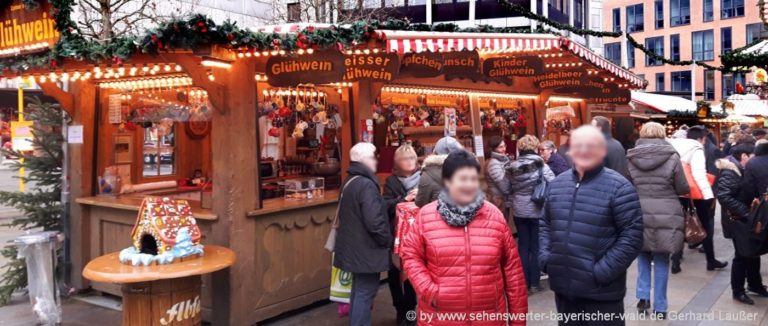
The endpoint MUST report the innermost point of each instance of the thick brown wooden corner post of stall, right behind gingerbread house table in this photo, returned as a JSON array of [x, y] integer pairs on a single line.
[[235, 192]]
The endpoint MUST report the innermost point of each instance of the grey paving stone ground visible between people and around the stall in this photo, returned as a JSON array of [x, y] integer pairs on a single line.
[[695, 293]]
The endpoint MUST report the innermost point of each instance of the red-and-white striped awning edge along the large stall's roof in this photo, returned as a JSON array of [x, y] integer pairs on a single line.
[[409, 41]]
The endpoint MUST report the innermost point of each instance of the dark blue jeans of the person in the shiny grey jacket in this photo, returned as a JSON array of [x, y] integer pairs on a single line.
[[528, 247]]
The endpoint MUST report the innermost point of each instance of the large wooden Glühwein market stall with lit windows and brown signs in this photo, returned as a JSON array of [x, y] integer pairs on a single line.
[[255, 135]]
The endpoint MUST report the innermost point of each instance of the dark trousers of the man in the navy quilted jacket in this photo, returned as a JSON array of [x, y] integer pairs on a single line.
[[583, 308]]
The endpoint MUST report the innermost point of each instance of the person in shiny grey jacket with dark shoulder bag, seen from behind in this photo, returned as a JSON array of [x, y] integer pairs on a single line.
[[524, 174]]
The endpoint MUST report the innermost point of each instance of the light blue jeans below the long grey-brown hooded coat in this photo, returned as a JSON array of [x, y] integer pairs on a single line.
[[660, 278]]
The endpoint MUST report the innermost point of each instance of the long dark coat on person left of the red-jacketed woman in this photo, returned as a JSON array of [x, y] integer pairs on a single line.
[[363, 239]]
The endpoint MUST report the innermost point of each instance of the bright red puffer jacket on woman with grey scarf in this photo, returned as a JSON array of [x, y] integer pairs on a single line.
[[473, 270]]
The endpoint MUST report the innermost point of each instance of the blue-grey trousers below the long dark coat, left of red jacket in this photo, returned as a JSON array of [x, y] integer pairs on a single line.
[[364, 289]]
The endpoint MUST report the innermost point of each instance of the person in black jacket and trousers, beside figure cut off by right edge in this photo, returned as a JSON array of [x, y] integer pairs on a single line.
[[737, 203]]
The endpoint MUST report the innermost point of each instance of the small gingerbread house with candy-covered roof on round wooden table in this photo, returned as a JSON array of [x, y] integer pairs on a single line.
[[158, 223]]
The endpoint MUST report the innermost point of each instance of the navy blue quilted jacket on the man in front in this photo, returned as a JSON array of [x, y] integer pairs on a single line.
[[591, 231]]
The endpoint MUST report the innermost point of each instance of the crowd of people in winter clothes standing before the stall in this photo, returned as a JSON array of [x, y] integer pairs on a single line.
[[580, 214]]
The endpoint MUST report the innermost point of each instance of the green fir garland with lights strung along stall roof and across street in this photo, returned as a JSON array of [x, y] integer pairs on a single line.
[[199, 30]]
